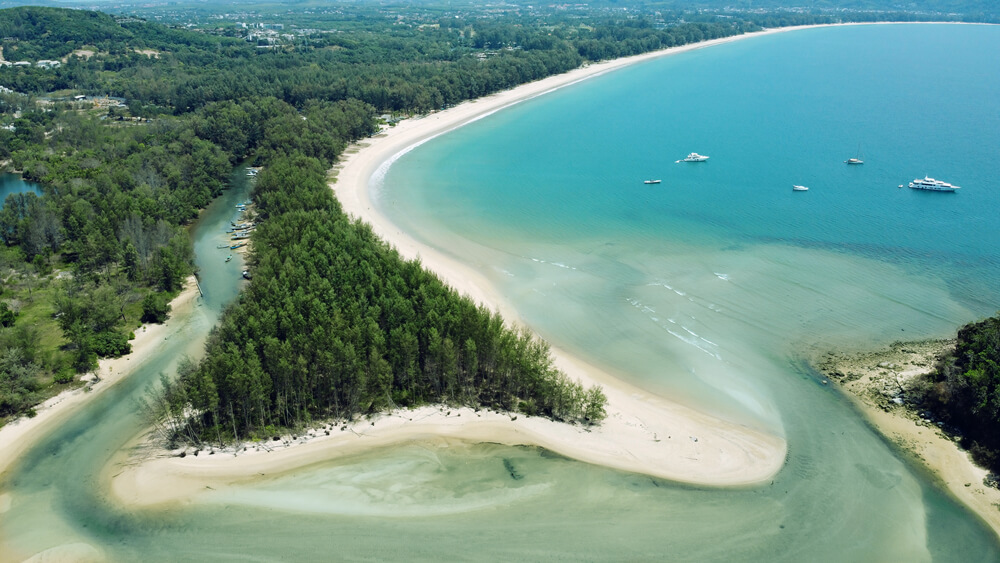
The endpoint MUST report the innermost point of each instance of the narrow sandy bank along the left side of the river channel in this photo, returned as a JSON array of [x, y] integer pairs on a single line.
[[18, 435]]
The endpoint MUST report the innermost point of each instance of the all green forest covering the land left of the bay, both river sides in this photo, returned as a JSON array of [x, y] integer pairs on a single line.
[[171, 107]]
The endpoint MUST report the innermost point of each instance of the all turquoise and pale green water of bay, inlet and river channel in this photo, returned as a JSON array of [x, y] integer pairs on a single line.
[[711, 287]]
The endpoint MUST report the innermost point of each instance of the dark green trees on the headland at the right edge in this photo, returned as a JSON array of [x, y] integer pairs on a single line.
[[966, 390]]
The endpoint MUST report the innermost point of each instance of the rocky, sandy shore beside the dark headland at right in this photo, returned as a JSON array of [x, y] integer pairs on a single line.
[[876, 381]]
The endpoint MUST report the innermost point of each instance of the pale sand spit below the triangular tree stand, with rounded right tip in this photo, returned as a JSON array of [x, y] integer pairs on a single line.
[[642, 434]]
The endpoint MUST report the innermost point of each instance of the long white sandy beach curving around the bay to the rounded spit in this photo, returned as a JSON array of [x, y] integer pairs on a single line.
[[643, 433]]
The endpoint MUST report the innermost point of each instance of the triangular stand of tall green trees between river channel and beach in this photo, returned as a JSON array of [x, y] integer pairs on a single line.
[[336, 324]]
